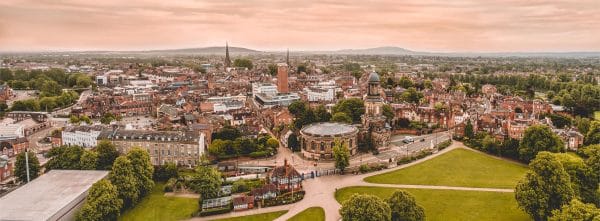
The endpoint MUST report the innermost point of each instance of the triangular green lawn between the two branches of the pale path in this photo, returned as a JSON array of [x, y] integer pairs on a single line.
[[459, 167]]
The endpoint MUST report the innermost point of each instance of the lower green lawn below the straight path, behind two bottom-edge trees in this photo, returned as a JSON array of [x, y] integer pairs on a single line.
[[449, 205]]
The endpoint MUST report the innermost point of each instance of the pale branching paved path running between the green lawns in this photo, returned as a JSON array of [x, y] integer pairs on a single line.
[[320, 192]]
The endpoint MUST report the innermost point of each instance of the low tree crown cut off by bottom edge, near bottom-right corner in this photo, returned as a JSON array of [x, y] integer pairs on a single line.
[[576, 210]]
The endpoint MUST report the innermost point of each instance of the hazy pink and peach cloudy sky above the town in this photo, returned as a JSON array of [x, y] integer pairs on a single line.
[[420, 25]]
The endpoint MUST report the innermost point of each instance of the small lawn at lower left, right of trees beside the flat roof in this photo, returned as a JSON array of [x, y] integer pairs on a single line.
[[158, 207]]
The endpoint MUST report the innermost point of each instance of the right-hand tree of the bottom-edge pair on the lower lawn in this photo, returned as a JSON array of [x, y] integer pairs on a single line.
[[404, 207]]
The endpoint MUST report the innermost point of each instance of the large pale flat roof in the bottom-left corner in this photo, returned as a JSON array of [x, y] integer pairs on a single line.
[[50, 196]]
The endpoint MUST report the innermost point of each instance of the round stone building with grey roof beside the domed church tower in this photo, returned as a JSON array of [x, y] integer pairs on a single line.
[[317, 140]]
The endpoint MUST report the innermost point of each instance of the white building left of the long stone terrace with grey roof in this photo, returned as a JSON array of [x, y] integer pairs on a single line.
[[84, 136]]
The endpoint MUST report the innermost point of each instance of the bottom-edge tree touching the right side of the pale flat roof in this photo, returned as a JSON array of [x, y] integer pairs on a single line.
[[102, 203]]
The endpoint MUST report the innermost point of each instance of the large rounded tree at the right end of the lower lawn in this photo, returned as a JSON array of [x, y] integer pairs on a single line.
[[544, 188]]
